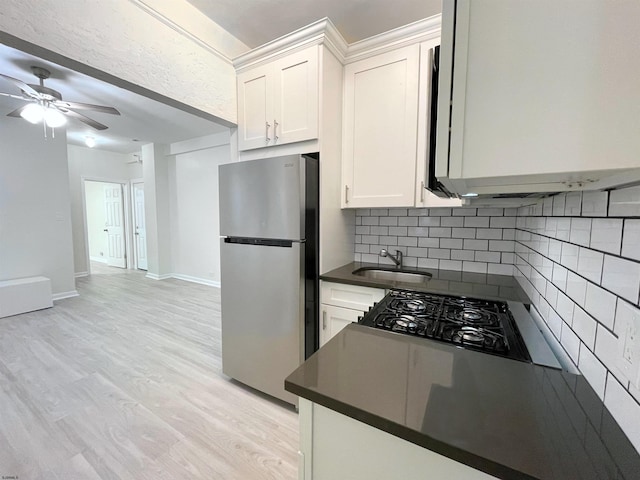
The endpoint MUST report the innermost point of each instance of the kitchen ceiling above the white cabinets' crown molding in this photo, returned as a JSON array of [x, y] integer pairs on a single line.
[[256, 22]]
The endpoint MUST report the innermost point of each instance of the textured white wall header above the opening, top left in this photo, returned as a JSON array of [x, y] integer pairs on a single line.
[[183, 58]]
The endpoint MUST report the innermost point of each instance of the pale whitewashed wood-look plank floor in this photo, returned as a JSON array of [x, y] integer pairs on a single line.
[[125, 382]]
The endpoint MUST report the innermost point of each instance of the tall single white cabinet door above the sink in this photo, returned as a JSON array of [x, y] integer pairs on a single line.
[[380, 129]]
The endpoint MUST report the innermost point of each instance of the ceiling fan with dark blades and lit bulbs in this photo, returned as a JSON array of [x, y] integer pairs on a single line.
[[47, 104]]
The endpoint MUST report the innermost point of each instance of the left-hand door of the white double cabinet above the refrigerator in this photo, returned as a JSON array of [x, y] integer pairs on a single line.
[[255, 104]]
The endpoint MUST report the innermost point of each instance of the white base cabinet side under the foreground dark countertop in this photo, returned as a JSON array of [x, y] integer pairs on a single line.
[[327, 452]]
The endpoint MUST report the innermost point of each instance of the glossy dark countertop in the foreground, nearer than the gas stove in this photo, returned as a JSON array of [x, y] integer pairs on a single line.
[[510, 419]]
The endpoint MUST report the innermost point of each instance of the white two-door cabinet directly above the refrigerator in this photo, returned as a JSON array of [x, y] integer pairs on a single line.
[[278, 101]]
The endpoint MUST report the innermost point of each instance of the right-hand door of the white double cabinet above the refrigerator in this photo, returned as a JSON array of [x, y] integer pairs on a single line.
[[295, 115]]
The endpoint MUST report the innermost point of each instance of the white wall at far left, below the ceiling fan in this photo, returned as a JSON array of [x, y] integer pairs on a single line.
[[35, 213]]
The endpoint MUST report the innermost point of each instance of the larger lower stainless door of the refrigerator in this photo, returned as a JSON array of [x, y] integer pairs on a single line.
[[262, 315]]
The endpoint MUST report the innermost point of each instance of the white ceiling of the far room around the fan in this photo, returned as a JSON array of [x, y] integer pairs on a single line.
[[143, 119]]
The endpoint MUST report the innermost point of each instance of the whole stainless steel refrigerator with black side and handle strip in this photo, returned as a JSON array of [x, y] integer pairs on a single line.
[[269, 269]]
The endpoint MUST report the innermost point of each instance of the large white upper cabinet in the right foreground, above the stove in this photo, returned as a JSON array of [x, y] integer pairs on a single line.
[[545, 95]]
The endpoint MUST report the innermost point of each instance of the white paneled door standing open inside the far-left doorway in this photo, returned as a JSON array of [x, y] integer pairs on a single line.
[[114, 225]]
